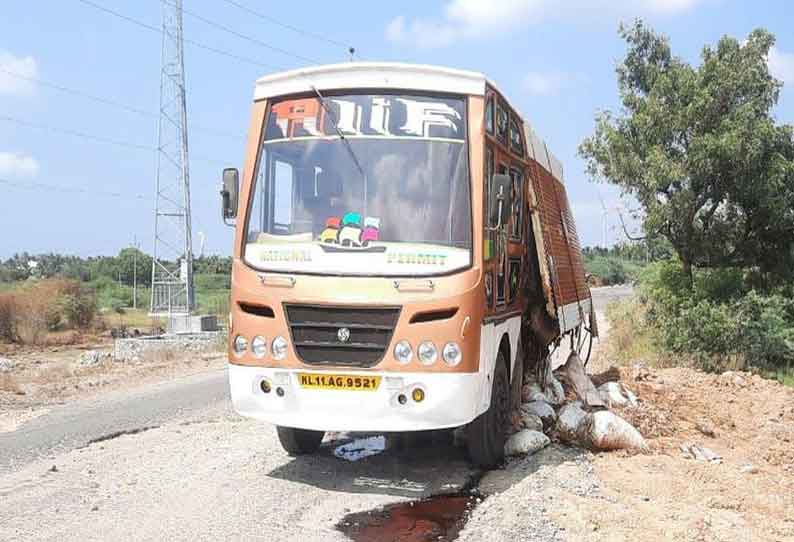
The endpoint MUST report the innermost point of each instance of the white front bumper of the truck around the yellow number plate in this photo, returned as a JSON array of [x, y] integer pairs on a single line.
[[450, 400]]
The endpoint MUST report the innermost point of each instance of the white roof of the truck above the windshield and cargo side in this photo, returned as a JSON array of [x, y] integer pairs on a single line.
[[395, 75]]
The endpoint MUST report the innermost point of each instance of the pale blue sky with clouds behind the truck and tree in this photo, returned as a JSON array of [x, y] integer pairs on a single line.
[[555, 63]]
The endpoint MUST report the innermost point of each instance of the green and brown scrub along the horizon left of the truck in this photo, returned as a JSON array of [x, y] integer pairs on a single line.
[[43, 294]]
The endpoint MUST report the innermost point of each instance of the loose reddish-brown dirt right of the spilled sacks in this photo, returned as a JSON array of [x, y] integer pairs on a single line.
[[664, 495]]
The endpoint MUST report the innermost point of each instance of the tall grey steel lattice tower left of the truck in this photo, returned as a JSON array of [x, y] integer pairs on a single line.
[[172, 267]]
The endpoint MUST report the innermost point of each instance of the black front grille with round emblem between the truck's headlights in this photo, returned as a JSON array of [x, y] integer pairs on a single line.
[[318, 340]]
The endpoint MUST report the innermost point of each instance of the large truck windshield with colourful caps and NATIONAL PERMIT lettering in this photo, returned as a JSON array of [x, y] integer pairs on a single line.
[[362, 184]]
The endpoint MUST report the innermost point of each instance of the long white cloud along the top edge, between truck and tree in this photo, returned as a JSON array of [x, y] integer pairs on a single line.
[[465, 19]]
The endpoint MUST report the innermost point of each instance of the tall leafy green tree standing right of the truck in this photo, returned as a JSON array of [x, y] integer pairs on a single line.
[[698, 148]]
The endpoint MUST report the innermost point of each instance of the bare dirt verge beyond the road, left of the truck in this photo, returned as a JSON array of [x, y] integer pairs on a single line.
[[45, 376]]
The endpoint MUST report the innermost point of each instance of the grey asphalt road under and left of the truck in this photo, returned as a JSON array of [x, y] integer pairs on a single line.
[[174, 462]]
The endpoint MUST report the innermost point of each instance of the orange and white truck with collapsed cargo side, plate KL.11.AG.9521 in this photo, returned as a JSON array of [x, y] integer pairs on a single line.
[[404, 253]]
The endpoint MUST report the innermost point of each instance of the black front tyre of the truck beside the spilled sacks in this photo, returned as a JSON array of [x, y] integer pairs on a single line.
[[485, 436]]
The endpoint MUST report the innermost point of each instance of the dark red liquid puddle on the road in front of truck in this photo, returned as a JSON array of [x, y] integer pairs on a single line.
[[438, 518]]
